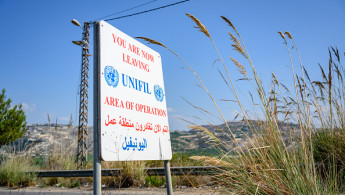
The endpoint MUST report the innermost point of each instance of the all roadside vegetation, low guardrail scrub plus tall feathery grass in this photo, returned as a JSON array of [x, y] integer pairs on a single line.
[[311, 160]]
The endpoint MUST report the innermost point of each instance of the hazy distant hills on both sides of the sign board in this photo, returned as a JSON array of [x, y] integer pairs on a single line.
[[44, 139]]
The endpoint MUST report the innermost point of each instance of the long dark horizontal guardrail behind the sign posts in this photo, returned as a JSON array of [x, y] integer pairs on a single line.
[[159, 171]]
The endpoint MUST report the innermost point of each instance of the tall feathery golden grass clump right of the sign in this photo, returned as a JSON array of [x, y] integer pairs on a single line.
[[270, 163]]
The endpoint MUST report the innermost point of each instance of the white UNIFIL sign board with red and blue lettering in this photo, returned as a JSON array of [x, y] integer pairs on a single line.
[[133, 113]]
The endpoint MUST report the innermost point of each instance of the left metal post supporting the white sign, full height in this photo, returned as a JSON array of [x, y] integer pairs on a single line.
[[96, 114]]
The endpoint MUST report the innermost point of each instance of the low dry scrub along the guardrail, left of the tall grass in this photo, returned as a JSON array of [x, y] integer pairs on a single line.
[[15, 166]]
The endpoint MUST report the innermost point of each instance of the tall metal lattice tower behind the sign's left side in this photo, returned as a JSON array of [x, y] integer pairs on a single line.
[[84, 97]]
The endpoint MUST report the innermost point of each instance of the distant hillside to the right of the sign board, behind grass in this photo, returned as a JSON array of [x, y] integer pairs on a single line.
[[196, 141]]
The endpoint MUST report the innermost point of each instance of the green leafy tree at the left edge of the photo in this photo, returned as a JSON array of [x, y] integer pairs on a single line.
[[12, 120]]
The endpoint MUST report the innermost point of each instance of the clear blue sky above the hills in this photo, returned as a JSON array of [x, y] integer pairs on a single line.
[[40, 67]]
